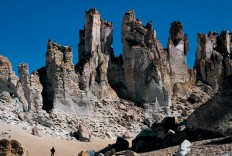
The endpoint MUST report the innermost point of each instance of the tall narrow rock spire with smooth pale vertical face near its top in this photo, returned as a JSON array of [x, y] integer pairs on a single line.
[[94, 56]]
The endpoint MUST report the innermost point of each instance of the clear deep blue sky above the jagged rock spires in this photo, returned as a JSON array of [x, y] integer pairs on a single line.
[[26, 25]]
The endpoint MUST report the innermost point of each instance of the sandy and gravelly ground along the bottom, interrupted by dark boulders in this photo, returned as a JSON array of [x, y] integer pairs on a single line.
[[40, 146]]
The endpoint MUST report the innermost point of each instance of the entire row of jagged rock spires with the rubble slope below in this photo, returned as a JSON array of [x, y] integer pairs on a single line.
[[60, 96]]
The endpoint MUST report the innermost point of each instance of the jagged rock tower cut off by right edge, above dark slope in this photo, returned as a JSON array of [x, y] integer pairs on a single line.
[[213, 58]]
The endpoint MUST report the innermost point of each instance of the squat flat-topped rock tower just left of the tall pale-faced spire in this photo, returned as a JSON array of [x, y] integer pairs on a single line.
[[61, 86]]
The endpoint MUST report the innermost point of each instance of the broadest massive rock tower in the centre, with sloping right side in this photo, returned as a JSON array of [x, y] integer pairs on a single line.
[[146, 68]]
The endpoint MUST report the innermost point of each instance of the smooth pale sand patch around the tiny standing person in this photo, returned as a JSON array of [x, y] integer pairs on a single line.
[[40, 146]]
